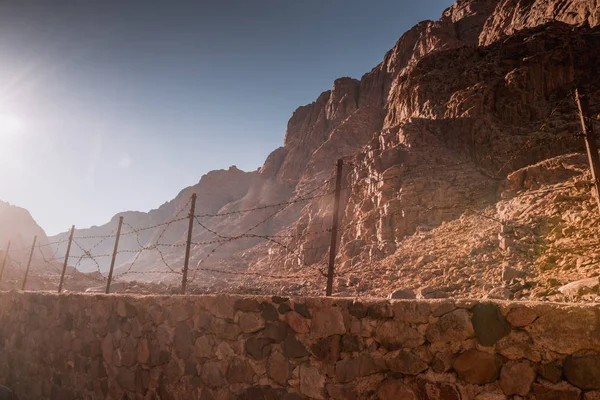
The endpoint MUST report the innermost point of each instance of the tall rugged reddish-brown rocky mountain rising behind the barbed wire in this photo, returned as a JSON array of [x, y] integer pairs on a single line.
[[435, 131]]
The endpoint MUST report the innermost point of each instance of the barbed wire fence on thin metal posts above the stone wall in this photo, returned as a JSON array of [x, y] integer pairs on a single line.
[[88, 253]]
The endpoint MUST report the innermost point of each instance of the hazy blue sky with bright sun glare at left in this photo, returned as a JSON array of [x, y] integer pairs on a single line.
[[108, 106]]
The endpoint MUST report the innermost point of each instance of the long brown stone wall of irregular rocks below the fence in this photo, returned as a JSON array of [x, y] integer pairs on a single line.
[[79, 346]]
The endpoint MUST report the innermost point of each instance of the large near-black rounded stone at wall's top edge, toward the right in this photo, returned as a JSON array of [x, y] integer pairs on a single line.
[[489, 324]]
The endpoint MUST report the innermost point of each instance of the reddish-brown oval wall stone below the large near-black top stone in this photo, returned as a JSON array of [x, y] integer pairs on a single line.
[[477, 367]]
